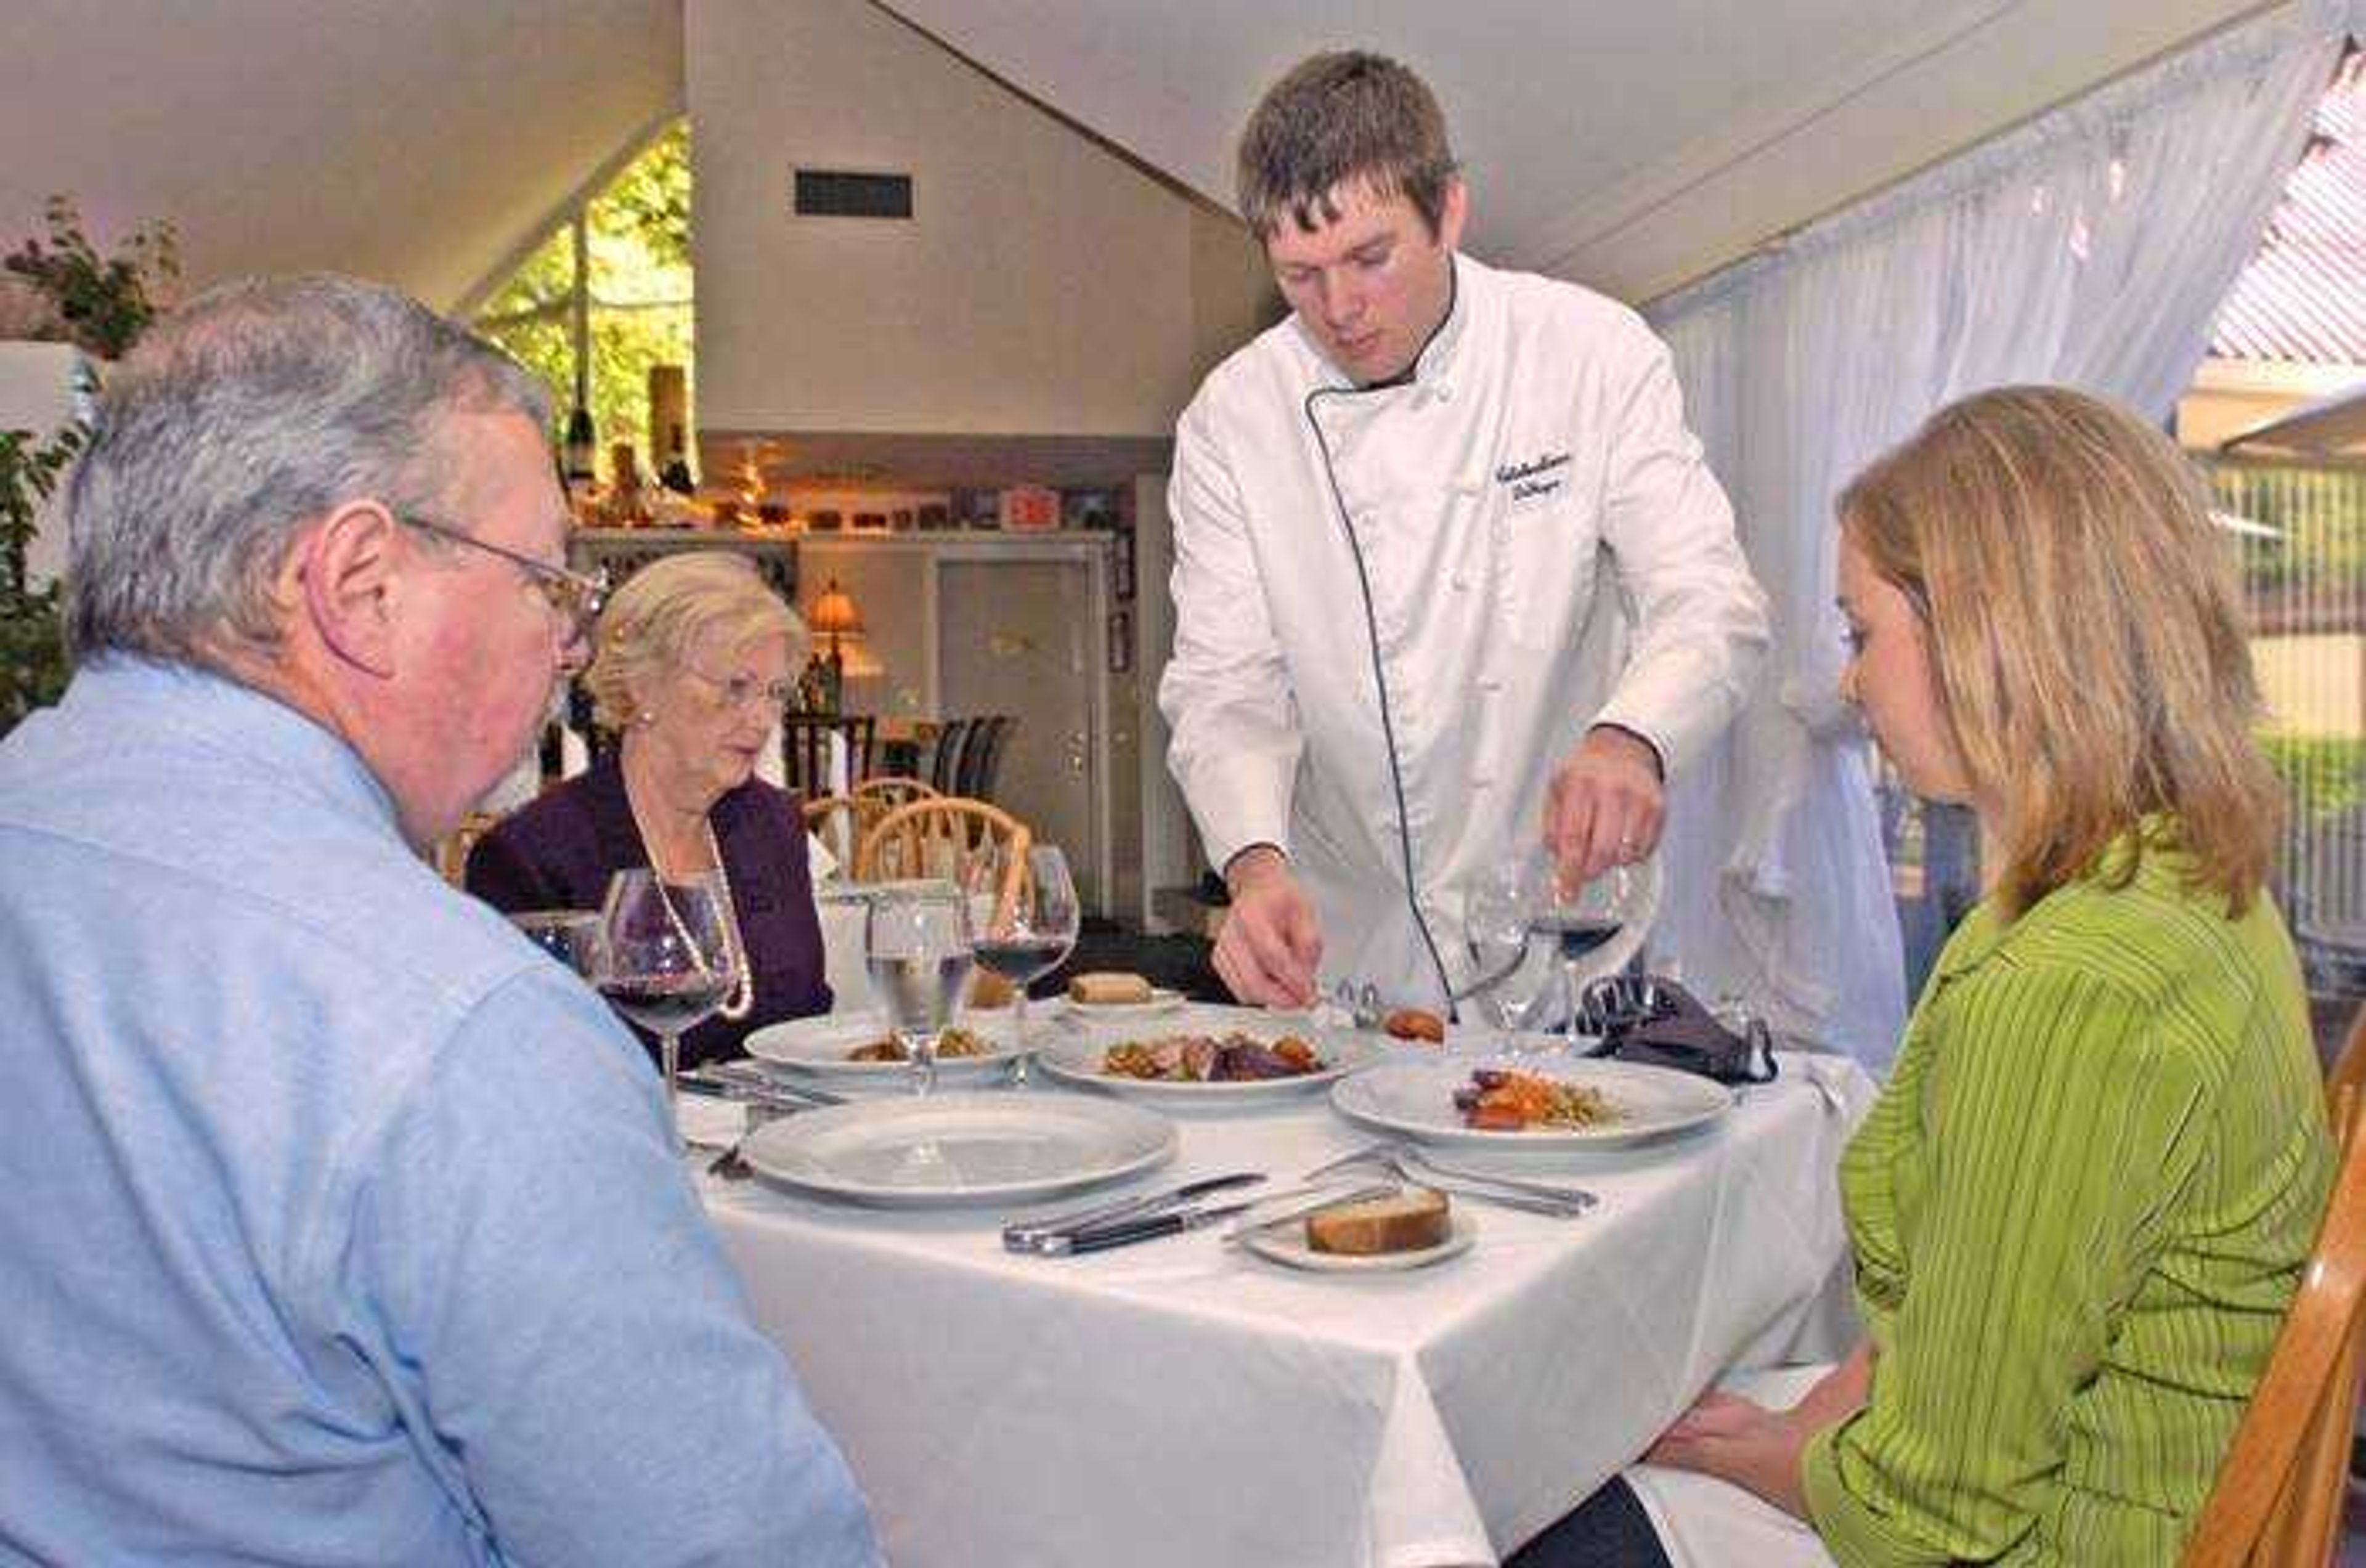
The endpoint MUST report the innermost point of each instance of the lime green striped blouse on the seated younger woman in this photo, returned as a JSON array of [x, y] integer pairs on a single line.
[[2079, 1212]]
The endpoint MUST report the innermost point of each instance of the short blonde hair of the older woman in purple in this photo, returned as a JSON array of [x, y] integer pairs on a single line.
[[652, 623]]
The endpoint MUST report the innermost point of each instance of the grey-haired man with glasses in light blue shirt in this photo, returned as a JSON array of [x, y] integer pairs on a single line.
[[340, 1226]]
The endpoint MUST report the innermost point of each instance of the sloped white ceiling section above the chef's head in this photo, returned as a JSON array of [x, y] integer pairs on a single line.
[[1627, 145]]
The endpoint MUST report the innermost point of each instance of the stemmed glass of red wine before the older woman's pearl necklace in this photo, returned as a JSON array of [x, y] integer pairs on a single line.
[[666, 957]]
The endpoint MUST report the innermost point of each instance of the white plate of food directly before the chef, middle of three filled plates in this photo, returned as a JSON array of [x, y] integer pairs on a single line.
[[1205, 1065]]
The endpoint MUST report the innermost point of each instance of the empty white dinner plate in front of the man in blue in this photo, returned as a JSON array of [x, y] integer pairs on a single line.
[[959, 1151]]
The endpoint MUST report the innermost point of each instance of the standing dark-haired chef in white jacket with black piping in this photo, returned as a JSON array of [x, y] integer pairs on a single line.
[[1449, 566]]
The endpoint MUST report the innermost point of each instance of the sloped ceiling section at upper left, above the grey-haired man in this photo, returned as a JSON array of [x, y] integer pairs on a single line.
[[415, 141]]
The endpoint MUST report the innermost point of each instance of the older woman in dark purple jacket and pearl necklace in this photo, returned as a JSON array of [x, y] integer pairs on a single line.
[[692, 668]]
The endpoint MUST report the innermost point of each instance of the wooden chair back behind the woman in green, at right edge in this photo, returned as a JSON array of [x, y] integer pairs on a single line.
[[2280, 1494]]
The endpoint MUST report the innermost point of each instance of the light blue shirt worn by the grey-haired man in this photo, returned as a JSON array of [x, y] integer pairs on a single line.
[[337, 1224]]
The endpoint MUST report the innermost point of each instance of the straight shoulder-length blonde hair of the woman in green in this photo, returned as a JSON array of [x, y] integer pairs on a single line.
[[2086, 633]]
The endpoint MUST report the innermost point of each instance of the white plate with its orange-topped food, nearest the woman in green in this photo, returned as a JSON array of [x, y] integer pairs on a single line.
[[1527, 1106]]
